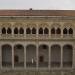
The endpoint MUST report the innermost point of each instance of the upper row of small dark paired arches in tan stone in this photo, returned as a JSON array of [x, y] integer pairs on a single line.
[[54, 29]]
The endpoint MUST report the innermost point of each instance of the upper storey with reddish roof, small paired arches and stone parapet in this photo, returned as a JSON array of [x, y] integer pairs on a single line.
[[37, 24]]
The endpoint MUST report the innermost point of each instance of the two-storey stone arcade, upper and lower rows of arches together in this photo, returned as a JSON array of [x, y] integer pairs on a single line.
[[37, 56]]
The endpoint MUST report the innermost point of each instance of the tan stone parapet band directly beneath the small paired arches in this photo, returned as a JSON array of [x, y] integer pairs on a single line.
[[34, 36]]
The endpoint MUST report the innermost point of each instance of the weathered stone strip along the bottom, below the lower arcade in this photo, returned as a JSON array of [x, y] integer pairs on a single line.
[[37, 72]]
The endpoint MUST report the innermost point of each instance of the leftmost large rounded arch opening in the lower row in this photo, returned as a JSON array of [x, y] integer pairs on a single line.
[[6, 55]]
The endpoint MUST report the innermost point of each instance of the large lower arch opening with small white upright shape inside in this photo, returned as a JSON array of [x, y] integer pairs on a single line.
[[30, 55]]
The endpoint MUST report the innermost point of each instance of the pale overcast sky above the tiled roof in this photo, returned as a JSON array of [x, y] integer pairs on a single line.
[[38, 4]]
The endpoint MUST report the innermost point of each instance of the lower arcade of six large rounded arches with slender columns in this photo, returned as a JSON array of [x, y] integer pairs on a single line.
[[33, 56]]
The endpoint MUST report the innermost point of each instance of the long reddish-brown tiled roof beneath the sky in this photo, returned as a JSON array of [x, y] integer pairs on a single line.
[[37, 12]]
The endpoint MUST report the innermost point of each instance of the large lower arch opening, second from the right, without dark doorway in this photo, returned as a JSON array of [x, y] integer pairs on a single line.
[[55, 55]]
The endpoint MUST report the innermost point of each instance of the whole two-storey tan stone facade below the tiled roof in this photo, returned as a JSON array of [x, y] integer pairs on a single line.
[[37, 43]]
